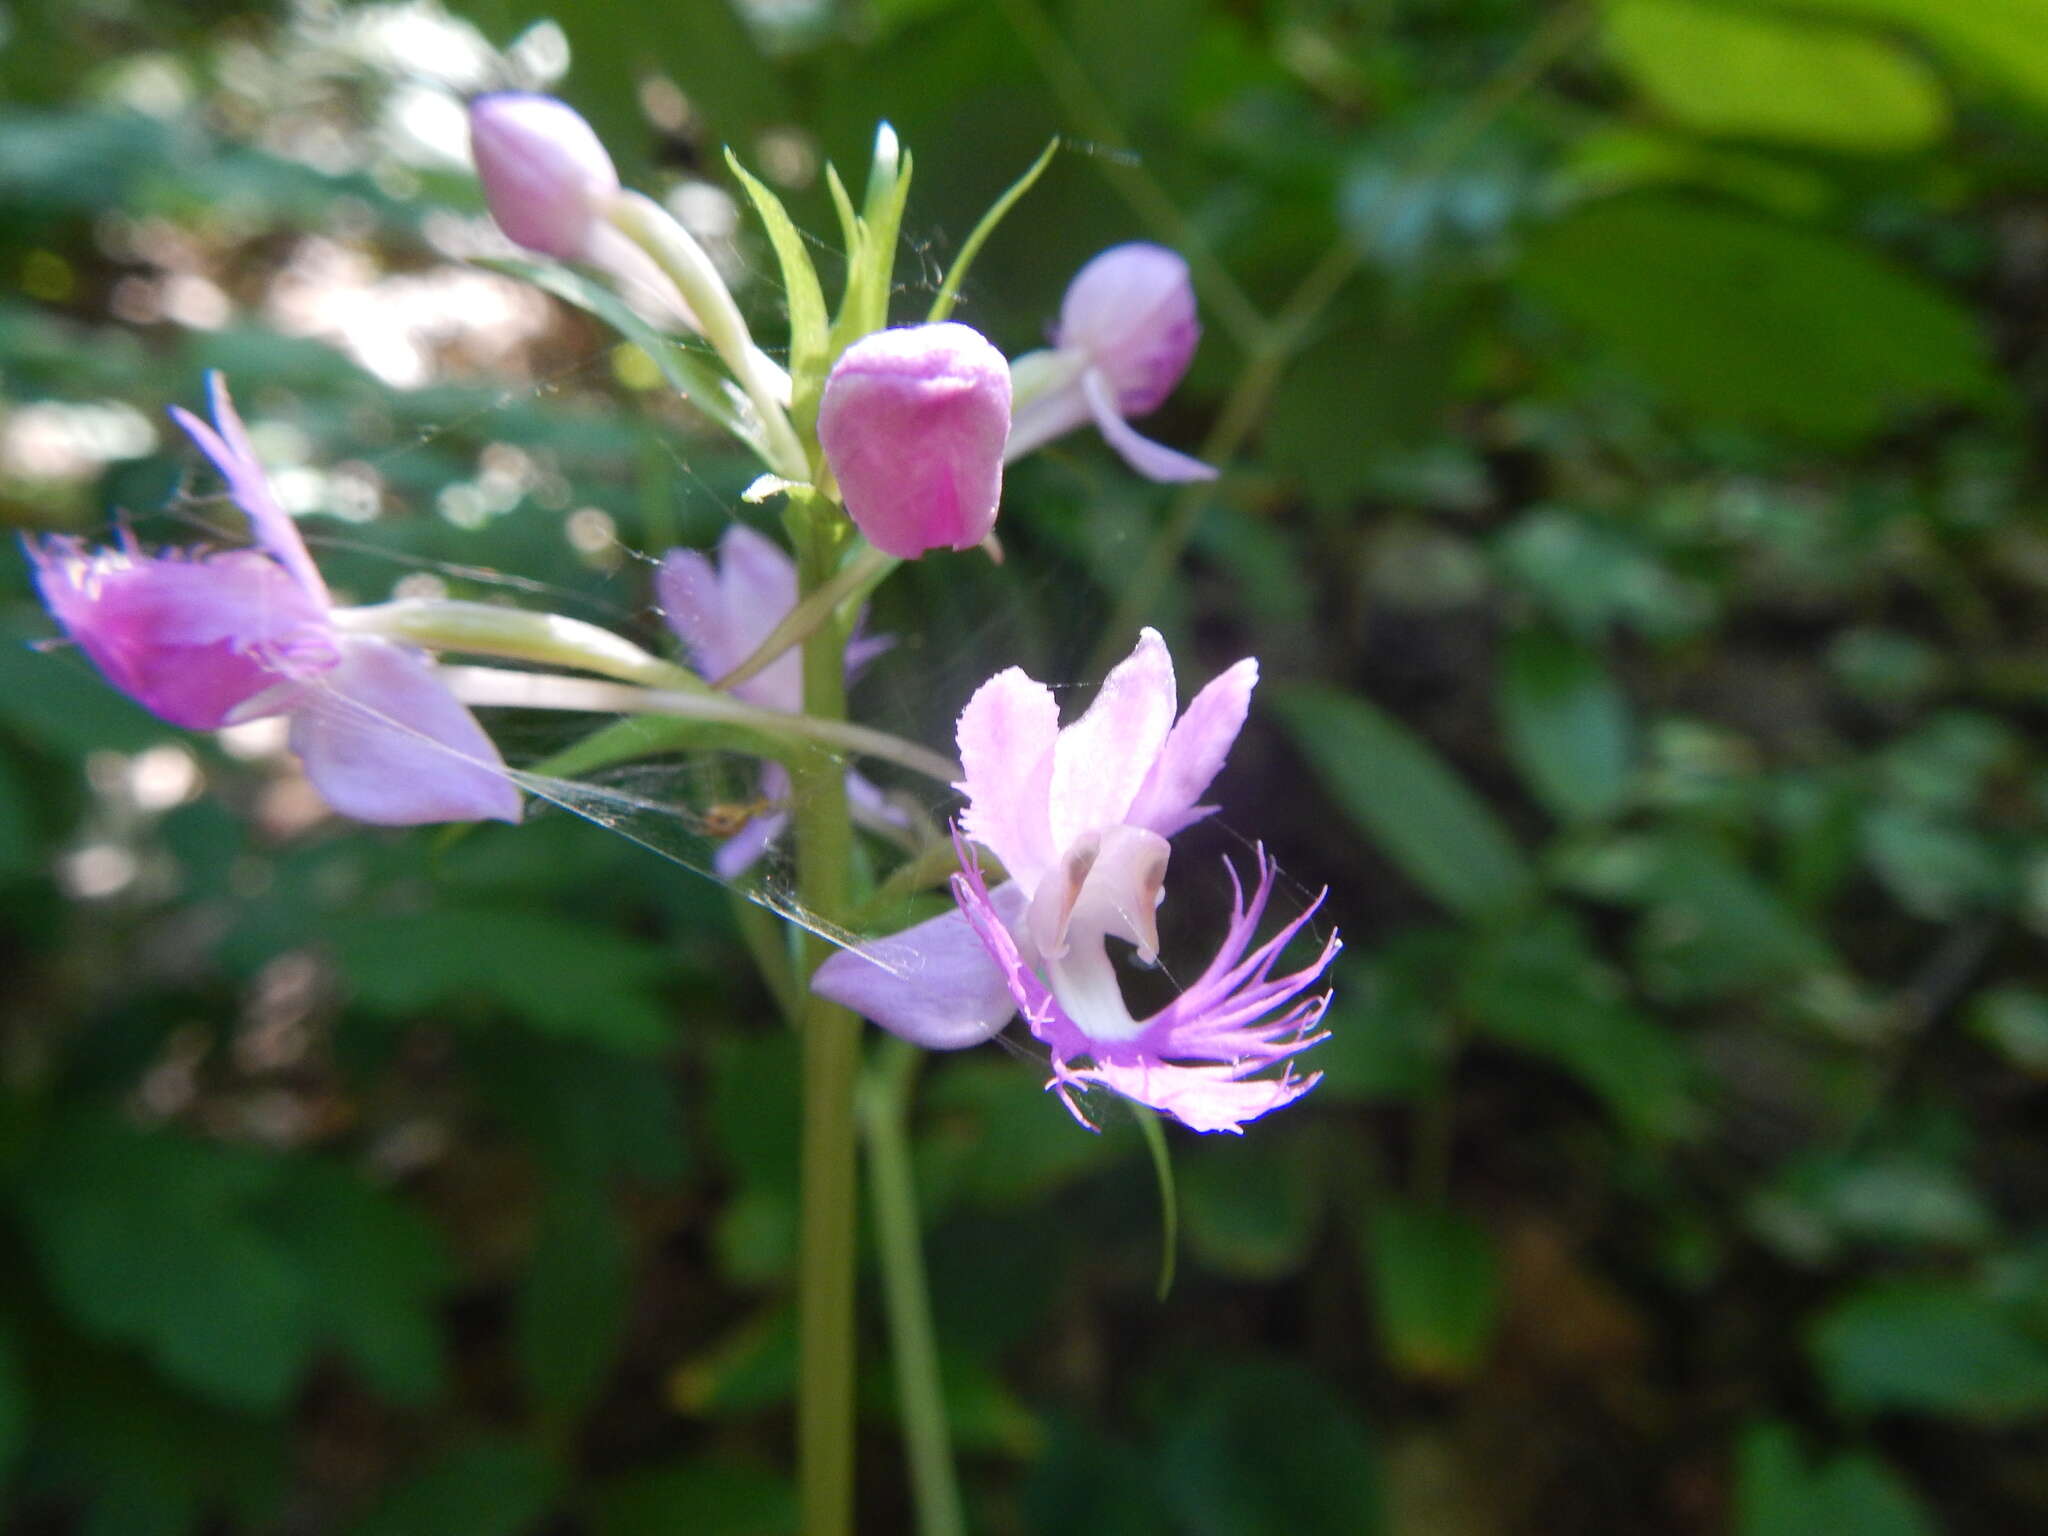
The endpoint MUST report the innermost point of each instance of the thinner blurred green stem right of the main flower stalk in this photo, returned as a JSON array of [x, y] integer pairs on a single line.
[[912, 1342]]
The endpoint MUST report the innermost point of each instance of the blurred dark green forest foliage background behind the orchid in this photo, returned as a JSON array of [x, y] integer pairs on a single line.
[[1633, 493]]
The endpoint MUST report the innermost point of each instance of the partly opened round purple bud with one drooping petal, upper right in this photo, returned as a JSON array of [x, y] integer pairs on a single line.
[[1125, 339]]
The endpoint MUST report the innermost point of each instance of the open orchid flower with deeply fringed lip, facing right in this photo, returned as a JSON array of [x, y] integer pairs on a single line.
[[1080, 820]]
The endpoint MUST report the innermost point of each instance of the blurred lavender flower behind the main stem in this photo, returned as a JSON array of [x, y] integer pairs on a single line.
[[724, 611]]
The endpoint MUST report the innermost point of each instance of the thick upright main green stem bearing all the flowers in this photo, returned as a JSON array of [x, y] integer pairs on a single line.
[[826, 1230]]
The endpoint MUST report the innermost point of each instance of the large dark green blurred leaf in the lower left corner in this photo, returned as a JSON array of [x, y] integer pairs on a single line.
[[153, 1240]]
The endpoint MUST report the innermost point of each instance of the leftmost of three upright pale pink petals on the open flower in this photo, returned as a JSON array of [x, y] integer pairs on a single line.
[[1007, 749]]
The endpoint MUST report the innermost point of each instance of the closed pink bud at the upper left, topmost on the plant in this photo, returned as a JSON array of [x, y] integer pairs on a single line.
[[544, 171]]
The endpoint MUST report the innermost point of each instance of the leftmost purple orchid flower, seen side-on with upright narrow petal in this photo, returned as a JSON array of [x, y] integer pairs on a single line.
[[208, 640]]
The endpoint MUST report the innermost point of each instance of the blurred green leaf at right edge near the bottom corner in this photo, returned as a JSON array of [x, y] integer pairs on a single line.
[[1930, 1347]]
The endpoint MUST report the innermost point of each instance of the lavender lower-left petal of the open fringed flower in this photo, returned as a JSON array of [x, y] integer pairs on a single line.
[[933, 984]]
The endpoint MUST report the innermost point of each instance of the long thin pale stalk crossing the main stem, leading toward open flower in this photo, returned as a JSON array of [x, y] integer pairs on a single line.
[[554, 691]]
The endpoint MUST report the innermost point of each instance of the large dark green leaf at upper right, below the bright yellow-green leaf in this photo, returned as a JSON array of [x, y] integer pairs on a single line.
[[1742, 318]]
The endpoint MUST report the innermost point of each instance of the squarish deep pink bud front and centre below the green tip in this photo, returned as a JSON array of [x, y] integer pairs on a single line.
[[914, 425]]
